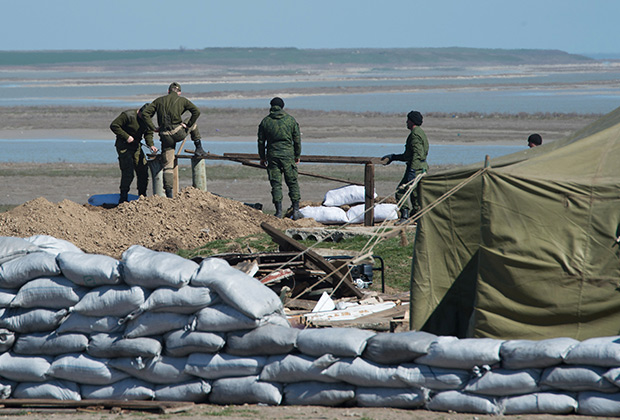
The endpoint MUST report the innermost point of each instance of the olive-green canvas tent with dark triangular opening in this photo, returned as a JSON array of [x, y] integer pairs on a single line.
[[523, 247]]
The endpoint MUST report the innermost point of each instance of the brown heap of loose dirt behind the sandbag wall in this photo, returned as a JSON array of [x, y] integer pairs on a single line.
[[189, 220]]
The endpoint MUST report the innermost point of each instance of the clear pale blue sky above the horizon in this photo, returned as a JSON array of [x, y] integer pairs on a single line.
[[575, 26]]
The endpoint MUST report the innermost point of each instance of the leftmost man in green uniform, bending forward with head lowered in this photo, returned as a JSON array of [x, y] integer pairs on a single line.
[[129, 130]]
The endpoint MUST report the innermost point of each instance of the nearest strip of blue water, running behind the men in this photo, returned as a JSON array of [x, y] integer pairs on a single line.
[[103, 151]]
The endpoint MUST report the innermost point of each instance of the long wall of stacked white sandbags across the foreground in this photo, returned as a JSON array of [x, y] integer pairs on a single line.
[[156, 326]]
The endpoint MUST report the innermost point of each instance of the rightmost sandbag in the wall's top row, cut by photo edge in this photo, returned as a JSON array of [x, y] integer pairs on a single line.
[[599, 351]]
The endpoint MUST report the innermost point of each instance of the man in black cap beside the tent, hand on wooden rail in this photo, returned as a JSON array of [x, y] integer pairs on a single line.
[[414, 156]]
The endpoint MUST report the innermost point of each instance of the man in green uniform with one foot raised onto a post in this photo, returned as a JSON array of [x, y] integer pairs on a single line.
[[172, 128]]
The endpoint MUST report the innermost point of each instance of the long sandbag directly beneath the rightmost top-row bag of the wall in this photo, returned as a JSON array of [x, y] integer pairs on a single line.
[[577, 378]]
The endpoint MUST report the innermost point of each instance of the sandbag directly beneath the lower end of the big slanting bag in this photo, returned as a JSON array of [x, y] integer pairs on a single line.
[[264, 340]]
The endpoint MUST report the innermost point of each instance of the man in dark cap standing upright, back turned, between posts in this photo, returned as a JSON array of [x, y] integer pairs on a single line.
[[279, 148]]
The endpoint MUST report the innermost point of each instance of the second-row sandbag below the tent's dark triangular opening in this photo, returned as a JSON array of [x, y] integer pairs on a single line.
[[434, 378]]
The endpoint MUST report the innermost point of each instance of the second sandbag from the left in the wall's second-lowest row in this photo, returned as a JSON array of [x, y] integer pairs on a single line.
[[84, 369]]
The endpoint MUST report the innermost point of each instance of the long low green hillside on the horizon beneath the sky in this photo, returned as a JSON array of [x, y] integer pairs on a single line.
[[263, 57]]
